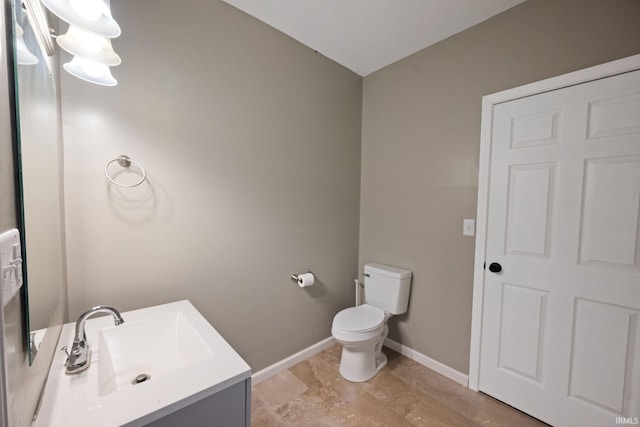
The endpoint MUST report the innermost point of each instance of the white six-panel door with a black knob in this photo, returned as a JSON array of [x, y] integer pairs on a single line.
[[561, 320]]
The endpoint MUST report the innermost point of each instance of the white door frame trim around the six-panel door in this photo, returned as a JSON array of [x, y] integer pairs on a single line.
[[608, 69]]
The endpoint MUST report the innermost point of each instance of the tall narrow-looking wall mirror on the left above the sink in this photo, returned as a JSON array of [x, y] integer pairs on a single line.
[[40, 152]]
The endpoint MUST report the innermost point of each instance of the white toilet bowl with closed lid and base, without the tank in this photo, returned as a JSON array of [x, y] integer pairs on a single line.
[[361, 330]]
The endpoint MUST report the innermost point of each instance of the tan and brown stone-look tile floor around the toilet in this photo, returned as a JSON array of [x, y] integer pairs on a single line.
[[405, 393]]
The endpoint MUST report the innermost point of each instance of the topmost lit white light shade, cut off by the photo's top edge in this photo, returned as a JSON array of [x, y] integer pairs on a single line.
[[91, 15]]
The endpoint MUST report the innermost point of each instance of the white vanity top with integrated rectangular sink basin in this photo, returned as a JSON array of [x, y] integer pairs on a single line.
[[180, 356]]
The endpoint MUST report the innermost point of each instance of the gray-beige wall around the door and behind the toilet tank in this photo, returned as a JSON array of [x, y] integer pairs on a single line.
[[420, 145]]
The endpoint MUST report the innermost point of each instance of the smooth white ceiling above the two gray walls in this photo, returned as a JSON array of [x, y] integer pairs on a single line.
[[366, 35]]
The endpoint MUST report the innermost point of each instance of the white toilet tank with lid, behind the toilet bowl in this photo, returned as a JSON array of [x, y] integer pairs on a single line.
[[387, 287]]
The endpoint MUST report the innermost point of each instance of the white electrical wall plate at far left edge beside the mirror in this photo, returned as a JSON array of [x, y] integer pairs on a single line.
[[10, 265]]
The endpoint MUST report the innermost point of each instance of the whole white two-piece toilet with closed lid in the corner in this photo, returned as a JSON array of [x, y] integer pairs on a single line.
[[361, 330]]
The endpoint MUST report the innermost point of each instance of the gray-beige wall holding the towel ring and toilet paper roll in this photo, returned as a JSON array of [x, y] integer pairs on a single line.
[[251, 143]]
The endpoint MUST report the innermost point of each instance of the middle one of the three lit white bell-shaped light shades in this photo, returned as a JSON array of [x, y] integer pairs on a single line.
[[82, 43]]
